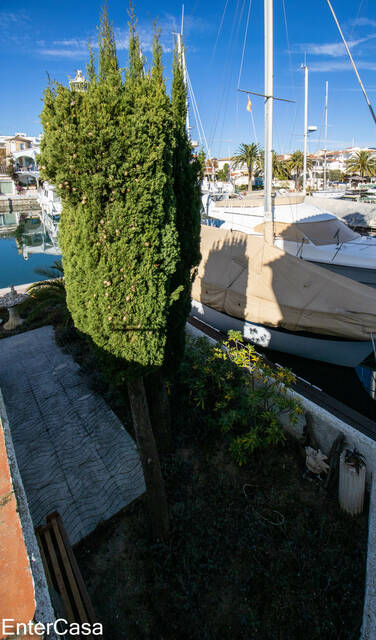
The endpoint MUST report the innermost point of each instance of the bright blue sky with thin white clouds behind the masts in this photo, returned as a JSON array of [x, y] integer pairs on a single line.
[[41, 36]]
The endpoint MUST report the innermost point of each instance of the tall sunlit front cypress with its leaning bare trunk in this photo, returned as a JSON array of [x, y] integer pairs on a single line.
[[110, 153]]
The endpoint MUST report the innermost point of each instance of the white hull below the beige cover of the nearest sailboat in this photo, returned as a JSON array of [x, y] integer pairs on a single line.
[[346, 353]]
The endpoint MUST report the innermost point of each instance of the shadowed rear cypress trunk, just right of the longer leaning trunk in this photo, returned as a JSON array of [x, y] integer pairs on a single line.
[[159, 408]]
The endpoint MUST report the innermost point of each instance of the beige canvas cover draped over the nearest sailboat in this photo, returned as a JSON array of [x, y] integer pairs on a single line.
[[242, 276]]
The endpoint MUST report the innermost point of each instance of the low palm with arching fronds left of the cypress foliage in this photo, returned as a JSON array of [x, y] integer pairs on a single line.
[[49, 294]]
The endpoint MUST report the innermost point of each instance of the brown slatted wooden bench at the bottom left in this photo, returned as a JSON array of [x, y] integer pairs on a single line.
[[63, 574]]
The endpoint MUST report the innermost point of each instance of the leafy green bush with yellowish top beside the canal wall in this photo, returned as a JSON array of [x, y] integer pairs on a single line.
[[232, 391]]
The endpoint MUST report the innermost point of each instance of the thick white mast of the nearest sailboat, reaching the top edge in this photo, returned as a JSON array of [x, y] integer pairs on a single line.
[[268, 159]]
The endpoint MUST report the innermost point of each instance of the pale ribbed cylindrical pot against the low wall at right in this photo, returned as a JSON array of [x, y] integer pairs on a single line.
[[352, 483]]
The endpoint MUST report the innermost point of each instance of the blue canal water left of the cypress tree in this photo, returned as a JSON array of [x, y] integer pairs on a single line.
[[19, 258]]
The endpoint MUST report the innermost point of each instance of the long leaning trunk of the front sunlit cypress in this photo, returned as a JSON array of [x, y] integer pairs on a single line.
[[149, 459]]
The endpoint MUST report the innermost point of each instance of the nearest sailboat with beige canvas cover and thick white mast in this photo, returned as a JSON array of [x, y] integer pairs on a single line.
[[277, 301]]
